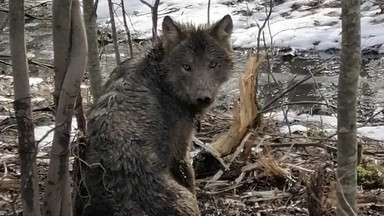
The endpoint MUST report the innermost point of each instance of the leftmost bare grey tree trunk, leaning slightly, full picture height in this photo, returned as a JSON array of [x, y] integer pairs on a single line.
[[29, 186]]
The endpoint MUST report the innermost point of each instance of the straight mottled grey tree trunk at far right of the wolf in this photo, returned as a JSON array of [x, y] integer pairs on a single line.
[[346, 112]]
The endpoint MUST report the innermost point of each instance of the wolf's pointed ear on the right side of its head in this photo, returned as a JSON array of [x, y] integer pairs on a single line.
[[222, 30]]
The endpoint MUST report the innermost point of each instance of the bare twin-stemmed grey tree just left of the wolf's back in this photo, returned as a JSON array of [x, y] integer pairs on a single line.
[[70, 55]]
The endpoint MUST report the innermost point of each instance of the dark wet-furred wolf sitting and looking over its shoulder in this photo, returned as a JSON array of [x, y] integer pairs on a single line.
[[140, 130]]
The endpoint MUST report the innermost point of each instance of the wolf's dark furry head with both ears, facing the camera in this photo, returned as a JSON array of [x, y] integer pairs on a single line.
[[197, 59]]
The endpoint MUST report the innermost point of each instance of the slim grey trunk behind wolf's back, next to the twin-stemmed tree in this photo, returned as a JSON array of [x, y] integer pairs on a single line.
[[93, 51]]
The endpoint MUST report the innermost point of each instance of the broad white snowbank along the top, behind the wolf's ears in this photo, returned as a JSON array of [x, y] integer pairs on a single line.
[[294, 23]]
